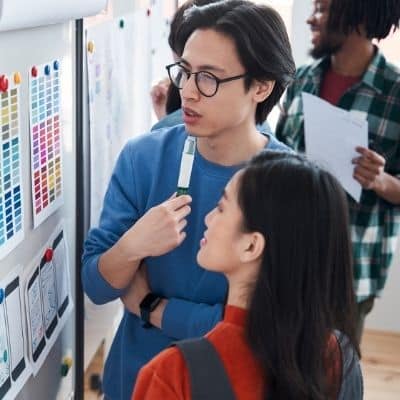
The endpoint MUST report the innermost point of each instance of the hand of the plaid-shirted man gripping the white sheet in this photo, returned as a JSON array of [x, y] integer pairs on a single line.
[[369, 169]]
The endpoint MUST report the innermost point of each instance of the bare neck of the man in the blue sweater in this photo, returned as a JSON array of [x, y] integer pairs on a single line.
[[231, 148]]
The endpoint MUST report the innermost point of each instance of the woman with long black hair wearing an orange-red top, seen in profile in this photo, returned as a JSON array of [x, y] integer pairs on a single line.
[[279, 235]]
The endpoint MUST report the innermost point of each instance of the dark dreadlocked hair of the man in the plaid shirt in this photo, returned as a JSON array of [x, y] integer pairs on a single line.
[[377, 17]]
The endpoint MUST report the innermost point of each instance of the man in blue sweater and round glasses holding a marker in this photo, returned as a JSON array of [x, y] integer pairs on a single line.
[[235, 65]]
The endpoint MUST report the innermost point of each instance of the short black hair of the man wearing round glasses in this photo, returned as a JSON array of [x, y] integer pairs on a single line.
[[261, 41]]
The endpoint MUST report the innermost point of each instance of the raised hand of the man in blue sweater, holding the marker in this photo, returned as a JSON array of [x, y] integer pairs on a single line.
[[159, 231]]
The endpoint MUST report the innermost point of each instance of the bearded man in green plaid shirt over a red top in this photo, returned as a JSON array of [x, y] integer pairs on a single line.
[[351, 73]]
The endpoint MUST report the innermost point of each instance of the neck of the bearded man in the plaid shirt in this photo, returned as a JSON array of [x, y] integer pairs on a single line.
[[354, 56]]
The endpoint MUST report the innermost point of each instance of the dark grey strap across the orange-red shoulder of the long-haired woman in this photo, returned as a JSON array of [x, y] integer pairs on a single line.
[[208, 377]]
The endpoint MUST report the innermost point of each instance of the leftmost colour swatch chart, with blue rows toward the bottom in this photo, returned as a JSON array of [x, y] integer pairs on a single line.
[[11, 212]]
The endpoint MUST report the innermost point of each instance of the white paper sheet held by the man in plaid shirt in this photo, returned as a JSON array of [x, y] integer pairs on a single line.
[[331, 137]]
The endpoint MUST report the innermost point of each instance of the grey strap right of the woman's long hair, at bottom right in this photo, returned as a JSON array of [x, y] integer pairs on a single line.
[[352, 386]]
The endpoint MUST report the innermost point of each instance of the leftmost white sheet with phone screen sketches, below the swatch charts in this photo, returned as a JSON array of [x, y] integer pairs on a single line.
[[19, 361]]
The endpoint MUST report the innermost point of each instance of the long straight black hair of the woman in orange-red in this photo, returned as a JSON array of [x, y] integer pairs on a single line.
[[304, 290]]
